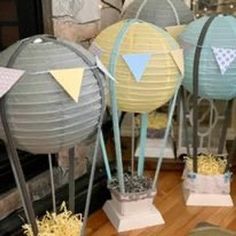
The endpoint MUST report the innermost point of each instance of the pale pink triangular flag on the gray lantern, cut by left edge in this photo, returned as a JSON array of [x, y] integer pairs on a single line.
[[8, 77]]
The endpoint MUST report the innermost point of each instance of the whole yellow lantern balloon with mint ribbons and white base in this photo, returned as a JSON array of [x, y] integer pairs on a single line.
[[147, 66]]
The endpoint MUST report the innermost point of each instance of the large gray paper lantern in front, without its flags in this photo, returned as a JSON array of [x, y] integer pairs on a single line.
[[42, 117]]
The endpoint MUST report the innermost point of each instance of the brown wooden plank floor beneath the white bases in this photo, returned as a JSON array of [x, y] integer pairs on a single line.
[[179, 218]]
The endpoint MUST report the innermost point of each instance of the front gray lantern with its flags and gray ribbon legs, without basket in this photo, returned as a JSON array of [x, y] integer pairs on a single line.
[[52, 97]]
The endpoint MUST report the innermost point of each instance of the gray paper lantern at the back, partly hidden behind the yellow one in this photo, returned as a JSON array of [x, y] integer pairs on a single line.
[[161, 13]]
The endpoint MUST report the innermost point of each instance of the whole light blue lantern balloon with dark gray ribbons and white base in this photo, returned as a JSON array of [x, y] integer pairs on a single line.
[[210, 73]]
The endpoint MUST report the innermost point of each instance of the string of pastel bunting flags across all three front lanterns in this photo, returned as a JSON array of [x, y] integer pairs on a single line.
[[71, 79]]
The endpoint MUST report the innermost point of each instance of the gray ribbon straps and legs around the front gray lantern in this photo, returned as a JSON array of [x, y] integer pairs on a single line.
[[14, 158]]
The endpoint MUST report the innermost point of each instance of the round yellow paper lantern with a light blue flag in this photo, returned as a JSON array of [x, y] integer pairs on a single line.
[[147, 48]]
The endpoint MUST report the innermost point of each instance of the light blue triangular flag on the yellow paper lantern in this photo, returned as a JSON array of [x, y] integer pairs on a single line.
[[137, 63]]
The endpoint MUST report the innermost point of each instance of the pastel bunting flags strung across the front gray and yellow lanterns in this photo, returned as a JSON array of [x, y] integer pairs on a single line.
[[71, 79]]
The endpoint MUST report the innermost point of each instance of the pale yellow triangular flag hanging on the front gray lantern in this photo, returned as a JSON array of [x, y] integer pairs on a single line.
[[70, 80]]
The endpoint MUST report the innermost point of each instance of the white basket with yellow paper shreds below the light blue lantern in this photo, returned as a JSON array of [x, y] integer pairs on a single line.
[[210, 186]]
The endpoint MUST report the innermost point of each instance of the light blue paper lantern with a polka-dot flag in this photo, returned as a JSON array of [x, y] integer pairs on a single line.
[[217, 65]]
